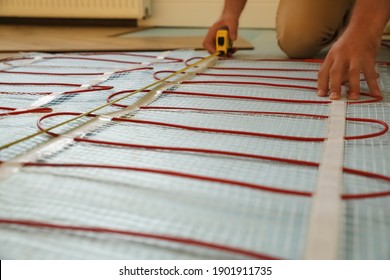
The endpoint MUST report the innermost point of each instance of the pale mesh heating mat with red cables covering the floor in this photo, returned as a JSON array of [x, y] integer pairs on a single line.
[[216, 161]]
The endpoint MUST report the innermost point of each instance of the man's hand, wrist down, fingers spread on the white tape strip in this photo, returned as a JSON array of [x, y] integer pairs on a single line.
[[350, 56]]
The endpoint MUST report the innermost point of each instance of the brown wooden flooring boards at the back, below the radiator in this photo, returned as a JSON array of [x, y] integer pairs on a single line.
[[20, 38]]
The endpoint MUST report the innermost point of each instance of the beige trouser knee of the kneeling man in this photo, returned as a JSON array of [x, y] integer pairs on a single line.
[[304, 27]]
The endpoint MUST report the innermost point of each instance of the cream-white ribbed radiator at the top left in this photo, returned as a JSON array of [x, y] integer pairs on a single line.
[[115, 9]]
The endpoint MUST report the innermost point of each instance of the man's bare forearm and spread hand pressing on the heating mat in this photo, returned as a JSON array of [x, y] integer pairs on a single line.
[[355, 51]]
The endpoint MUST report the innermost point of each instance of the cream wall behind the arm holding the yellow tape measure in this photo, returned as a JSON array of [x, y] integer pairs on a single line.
[[202, 13]]
